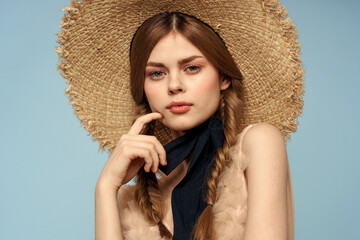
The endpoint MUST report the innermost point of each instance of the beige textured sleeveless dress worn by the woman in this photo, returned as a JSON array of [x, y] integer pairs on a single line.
[[229, 211]]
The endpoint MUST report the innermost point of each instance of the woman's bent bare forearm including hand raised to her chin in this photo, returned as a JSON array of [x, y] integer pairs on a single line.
[[132, 152]]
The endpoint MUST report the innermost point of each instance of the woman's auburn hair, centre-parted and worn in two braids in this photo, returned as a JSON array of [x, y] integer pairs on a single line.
[[200, 34]]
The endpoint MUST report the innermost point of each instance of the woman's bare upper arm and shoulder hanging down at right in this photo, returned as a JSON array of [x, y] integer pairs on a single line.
[[265, 150]]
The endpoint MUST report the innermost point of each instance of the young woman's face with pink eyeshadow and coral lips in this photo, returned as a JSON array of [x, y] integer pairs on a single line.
[[181, 84]]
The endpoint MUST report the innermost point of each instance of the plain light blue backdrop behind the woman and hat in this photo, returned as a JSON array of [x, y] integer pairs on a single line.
[[49, 166]]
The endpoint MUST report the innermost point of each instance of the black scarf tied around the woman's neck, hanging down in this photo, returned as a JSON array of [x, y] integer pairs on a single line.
[[188, 199]]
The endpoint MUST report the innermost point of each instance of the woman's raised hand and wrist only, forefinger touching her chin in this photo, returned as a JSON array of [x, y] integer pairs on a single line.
[[131, 153]]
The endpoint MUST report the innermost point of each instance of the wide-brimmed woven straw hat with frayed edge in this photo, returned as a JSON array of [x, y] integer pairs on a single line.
[[94, 46]]
